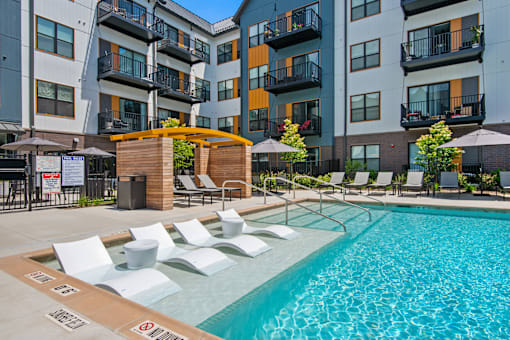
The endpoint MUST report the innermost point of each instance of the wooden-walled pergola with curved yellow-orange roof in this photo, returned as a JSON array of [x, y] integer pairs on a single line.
[[221, 155]]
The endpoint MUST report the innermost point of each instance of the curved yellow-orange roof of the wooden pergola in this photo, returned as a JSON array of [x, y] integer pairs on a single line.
[[183, 133]]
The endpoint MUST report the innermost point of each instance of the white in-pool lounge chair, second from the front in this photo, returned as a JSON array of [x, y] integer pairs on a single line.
[[204, 260]]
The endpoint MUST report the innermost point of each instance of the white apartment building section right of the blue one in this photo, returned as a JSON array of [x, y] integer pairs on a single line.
[[411, 63]]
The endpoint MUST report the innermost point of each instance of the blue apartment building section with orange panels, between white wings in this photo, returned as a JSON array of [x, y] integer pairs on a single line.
[[287, 71]]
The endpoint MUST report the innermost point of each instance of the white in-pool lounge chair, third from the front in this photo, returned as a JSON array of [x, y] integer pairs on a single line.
[[194, 233]]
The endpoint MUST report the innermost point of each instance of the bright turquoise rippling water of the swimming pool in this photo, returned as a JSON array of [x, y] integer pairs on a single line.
[[410, 273]]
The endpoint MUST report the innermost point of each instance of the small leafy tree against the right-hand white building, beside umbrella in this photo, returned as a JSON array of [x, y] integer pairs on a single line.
[[432, 158]]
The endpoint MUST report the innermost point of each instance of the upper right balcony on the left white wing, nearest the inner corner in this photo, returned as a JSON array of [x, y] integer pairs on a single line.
[[181, 48]]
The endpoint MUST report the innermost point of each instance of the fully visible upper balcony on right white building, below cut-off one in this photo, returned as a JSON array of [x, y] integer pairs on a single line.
[[443, 49]]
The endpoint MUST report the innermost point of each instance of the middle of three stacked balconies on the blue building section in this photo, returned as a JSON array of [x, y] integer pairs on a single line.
[[292, 78]]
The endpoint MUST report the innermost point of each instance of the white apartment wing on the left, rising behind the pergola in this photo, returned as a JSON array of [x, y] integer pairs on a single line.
[[115, 66]]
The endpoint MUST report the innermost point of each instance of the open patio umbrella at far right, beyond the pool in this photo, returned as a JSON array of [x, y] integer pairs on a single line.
[[479, 138]]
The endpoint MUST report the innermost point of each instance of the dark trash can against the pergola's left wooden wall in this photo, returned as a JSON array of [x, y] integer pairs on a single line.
[[131, 192]]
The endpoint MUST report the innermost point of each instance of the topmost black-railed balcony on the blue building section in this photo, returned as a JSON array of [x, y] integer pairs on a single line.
[[294, 29]]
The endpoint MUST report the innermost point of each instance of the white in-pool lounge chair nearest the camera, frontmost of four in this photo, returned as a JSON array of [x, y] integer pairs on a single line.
[[89, 261]]
